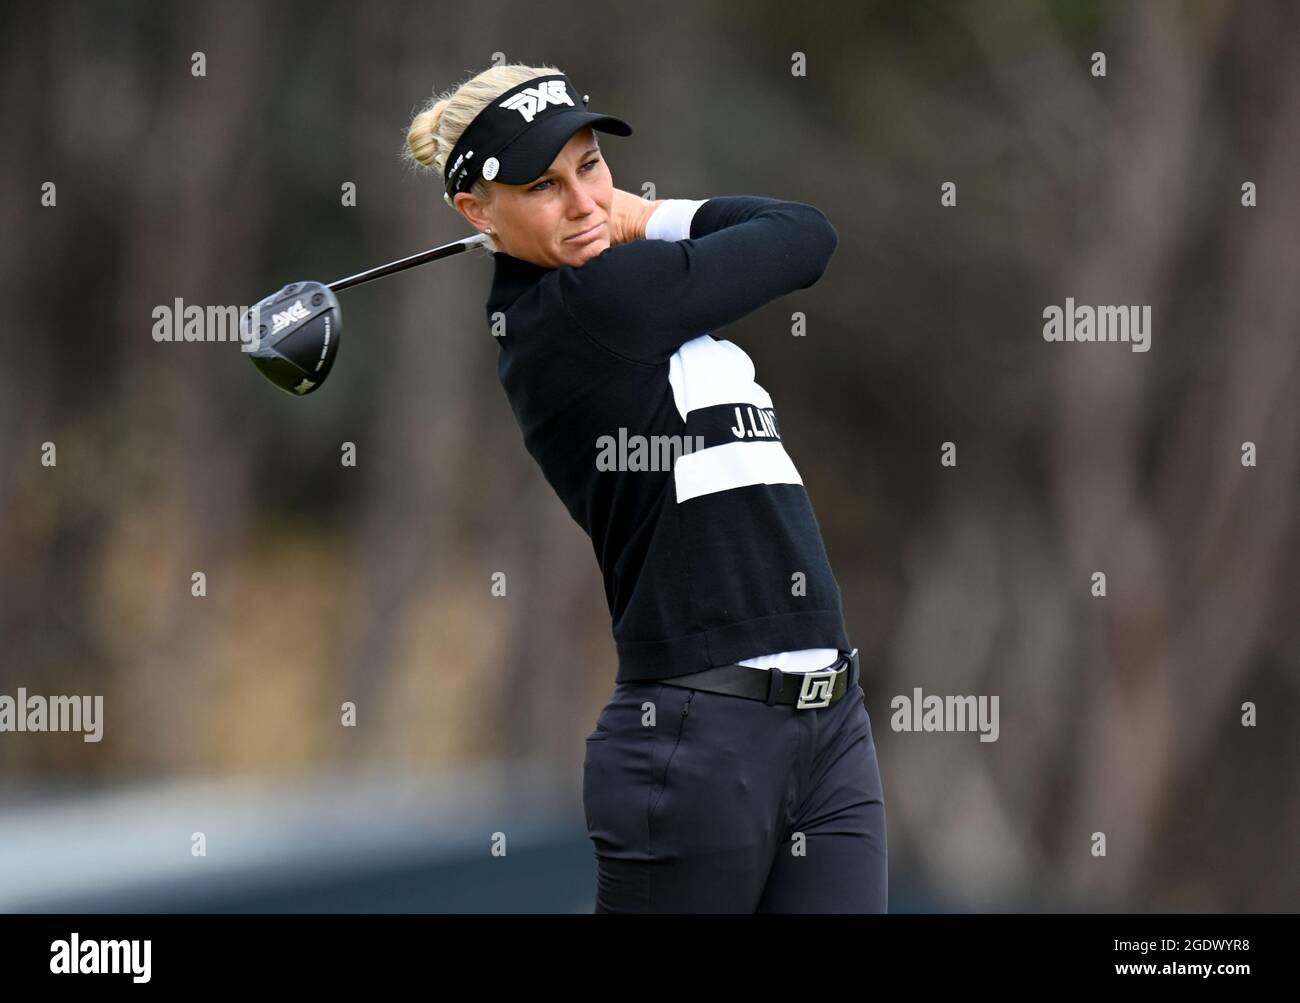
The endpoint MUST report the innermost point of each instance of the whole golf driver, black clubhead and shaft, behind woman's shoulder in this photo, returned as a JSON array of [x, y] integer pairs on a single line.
[[306, 322]]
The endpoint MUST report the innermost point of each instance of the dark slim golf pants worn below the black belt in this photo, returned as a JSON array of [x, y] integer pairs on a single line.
[[721, 804]]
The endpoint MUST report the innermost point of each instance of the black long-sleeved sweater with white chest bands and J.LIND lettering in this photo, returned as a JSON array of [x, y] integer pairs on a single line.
[[718, 557]]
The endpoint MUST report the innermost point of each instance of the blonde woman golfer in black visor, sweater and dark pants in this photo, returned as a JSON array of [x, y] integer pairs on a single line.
[[734, 767]]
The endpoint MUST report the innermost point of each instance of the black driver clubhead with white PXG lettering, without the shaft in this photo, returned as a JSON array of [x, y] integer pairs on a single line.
[[297, 336]]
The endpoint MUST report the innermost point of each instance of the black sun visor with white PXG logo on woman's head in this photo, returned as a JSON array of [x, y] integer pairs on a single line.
[[518, 137]]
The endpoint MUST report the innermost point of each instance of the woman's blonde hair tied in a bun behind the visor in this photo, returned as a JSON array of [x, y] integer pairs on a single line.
[[437, 127]]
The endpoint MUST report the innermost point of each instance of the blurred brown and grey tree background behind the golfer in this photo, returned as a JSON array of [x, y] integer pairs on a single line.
[[372, 584]]
